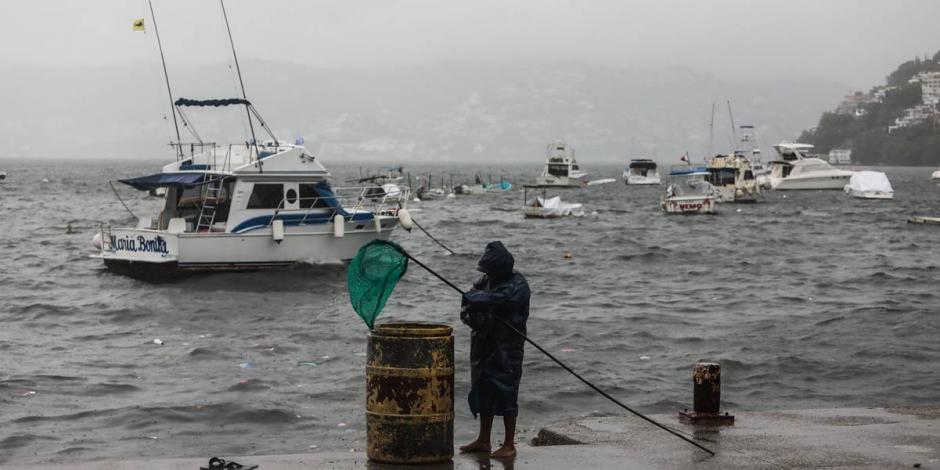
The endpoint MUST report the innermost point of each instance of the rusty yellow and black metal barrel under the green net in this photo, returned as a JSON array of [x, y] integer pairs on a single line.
[[410, 393]]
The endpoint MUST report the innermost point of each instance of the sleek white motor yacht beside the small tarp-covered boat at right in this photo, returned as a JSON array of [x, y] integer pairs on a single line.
[[799, 170]]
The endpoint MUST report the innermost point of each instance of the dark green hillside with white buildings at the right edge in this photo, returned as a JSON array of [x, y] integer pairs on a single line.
[[889, 125]]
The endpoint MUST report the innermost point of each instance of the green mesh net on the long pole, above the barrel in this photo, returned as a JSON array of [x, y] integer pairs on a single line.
[[372, 277]]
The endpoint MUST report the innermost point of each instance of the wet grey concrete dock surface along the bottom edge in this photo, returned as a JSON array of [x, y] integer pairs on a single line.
[[846, 438]]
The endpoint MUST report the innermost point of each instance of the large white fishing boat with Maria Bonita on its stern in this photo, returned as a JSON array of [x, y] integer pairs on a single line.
[[247, 206]]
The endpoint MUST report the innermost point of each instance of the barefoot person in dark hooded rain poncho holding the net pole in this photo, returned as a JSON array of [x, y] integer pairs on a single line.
[[501, 295]]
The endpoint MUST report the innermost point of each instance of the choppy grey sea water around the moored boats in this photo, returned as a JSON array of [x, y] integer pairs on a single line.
[[811, 299]]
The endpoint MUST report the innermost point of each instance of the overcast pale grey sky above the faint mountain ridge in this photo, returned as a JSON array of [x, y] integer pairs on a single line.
[[853, 42]]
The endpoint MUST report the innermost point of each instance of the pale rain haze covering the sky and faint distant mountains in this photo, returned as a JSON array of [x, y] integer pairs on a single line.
[[425, 80]]
